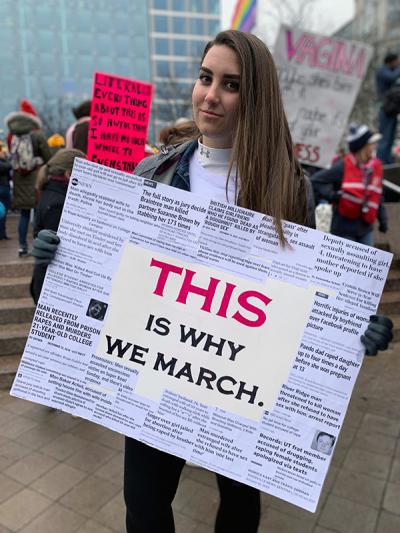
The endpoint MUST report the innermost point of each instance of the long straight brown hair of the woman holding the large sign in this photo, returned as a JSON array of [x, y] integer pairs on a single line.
[[271, 179]]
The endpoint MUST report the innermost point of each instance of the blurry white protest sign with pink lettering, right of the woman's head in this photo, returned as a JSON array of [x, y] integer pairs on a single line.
[[319, 77]]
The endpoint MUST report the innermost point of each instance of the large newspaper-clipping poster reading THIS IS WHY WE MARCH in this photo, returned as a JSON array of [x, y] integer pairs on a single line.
[[181, 322]]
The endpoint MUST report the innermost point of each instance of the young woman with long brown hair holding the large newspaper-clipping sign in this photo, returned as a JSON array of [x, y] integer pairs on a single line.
[[241, 152]]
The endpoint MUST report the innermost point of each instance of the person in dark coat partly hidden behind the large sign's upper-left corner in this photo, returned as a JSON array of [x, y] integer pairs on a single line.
[[52, 184]]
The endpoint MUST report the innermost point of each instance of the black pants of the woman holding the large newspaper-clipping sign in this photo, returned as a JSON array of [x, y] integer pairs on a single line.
[[150, 483]]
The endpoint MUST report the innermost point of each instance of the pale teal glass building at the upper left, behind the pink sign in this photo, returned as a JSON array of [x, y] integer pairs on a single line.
[[49, 50]]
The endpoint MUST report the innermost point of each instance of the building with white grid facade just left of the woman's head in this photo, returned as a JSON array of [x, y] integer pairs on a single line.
[[179, 30]]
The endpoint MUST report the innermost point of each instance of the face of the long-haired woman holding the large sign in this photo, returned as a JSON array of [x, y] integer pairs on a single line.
[[215, 97]]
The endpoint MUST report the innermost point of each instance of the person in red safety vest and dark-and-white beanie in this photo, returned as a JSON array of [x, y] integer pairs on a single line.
[[354, 186]]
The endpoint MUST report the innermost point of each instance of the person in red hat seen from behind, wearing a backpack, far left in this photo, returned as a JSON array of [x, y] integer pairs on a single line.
[[28, 150]]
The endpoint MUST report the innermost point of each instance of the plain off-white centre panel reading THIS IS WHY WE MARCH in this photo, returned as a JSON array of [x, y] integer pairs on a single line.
[[212, 337]]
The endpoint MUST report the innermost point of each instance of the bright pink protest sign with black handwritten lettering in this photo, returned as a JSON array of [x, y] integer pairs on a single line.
[[119, 120]]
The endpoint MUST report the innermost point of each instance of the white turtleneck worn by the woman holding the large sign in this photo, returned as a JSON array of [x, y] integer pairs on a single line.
[[208, 170]]
